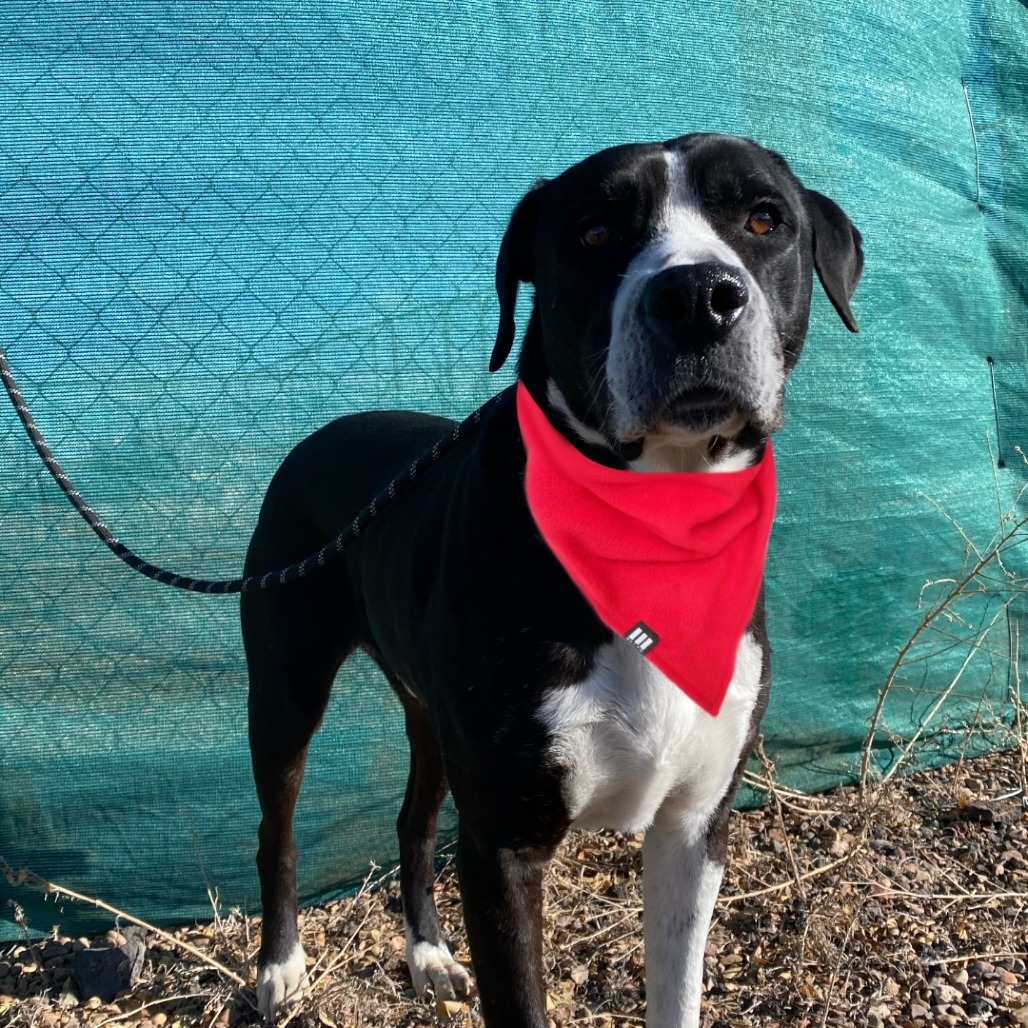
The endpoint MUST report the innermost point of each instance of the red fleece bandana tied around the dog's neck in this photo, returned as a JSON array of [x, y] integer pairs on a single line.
[[674, 563]]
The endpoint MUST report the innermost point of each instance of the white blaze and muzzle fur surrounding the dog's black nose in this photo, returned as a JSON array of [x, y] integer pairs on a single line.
[[748, 364]]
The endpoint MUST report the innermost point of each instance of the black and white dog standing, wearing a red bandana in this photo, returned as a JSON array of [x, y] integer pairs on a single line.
[[518, 700]]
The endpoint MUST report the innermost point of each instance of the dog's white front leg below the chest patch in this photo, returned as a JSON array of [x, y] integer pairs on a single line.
[[682, 871]]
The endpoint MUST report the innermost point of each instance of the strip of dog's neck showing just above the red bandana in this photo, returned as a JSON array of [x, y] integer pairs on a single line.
[[670, 451]]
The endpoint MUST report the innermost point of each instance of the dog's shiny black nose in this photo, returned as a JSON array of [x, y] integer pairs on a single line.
[[692, 307]]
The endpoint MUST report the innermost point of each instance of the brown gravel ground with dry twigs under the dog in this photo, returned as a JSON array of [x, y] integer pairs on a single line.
[[906, 906]]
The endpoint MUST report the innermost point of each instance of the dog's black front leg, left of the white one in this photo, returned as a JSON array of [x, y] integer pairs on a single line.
[[502, 889]]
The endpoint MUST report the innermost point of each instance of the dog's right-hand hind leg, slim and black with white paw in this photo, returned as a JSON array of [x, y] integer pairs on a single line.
[[428, 956]]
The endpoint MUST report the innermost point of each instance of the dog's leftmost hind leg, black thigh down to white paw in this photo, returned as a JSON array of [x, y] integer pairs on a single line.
[[292, 665]]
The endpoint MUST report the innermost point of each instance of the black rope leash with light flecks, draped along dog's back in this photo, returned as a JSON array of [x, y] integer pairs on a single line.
[[290, 574]]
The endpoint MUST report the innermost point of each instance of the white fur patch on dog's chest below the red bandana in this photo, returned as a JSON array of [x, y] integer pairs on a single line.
[[630, 740]]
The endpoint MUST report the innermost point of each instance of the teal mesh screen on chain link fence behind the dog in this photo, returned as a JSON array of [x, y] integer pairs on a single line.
[[223, 225]]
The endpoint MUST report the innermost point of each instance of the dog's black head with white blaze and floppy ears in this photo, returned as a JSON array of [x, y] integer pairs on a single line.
[[673, 292]]
